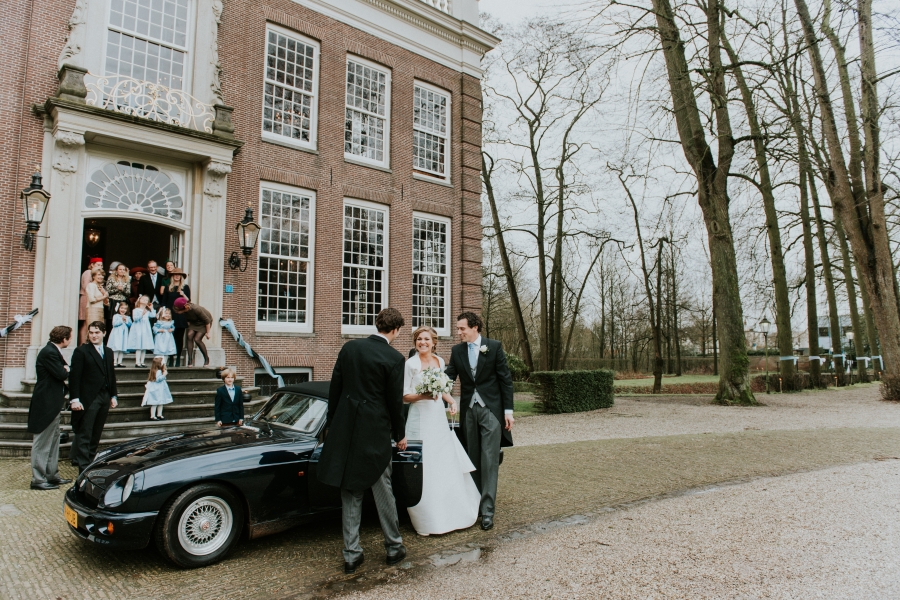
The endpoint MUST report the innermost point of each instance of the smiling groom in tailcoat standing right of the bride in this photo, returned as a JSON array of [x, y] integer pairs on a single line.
[[486, 416]]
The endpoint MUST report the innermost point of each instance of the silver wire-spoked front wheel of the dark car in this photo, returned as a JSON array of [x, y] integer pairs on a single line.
[[200, 526]]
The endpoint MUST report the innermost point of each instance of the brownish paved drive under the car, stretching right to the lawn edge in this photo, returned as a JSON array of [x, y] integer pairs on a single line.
[[607, 459]]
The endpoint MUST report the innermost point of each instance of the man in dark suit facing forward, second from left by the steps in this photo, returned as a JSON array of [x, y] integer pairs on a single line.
[[92, 389]]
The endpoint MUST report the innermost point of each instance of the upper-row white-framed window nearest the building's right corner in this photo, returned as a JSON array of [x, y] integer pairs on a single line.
[[431, 144]]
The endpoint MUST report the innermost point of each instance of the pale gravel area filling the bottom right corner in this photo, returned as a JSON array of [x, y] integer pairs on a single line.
[[827, 534]]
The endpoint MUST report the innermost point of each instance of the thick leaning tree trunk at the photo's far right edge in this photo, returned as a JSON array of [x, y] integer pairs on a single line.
[[865, 226]]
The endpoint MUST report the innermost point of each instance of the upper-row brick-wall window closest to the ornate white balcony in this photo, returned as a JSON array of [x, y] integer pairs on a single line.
[[289, 98]]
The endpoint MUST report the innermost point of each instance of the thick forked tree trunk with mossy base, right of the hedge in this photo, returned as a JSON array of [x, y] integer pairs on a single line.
[[712, 190]]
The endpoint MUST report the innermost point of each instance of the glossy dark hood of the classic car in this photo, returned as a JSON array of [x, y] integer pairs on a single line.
[[148, 452]]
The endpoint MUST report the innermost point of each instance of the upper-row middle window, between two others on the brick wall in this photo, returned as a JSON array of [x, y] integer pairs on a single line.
[[367, 123]]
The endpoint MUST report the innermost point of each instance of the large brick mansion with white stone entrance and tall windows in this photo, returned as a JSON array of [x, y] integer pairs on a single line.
[[351, 128]]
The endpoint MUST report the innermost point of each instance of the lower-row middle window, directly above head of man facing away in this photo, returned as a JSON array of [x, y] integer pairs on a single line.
[[364, 264]]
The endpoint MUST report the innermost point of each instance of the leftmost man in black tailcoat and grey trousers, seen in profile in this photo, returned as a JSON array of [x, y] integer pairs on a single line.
[[47, 400]]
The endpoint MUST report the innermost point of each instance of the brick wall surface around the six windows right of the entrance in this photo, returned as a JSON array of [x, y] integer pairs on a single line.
[[242, 52]]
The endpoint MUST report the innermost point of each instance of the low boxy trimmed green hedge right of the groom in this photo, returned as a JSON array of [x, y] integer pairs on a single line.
[[574, 391]]
